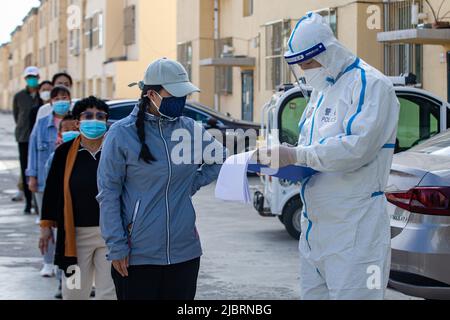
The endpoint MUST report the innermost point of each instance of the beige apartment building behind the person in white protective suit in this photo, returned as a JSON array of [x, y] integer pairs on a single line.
[[234, 48]]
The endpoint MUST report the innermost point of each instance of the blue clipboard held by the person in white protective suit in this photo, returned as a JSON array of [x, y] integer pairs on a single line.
[[291, 173]]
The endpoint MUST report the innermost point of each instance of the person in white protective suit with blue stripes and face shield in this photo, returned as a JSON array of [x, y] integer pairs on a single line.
[[348, 134]]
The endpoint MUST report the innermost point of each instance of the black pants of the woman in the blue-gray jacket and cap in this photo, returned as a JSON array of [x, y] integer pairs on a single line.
[[150, 282]]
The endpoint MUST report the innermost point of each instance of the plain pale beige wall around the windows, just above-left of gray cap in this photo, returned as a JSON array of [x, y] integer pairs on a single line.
[[104, 75]]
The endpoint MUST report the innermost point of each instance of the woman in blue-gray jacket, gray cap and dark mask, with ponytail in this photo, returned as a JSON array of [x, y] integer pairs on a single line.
[[150, 168]]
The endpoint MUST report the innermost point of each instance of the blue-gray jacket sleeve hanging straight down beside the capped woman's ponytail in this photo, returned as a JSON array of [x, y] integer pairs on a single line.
[[111, 177]]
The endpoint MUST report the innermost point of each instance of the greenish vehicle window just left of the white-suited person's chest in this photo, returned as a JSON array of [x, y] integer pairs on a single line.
[[291, 114]]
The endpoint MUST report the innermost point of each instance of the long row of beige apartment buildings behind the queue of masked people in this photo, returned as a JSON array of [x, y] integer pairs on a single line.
[[103, 44]]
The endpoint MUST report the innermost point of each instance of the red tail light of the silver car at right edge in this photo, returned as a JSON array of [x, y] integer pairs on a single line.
[[424, 200]]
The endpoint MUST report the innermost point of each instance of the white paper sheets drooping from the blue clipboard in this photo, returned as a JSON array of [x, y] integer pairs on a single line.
[[232, 184]]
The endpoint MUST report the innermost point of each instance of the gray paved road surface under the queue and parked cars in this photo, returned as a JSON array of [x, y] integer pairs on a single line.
[[245, 256]]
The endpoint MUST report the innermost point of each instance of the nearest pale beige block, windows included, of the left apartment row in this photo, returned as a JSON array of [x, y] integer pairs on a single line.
[[116, 42]]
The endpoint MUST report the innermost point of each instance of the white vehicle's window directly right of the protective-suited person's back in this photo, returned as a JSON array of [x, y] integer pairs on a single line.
[[418, 121]]
